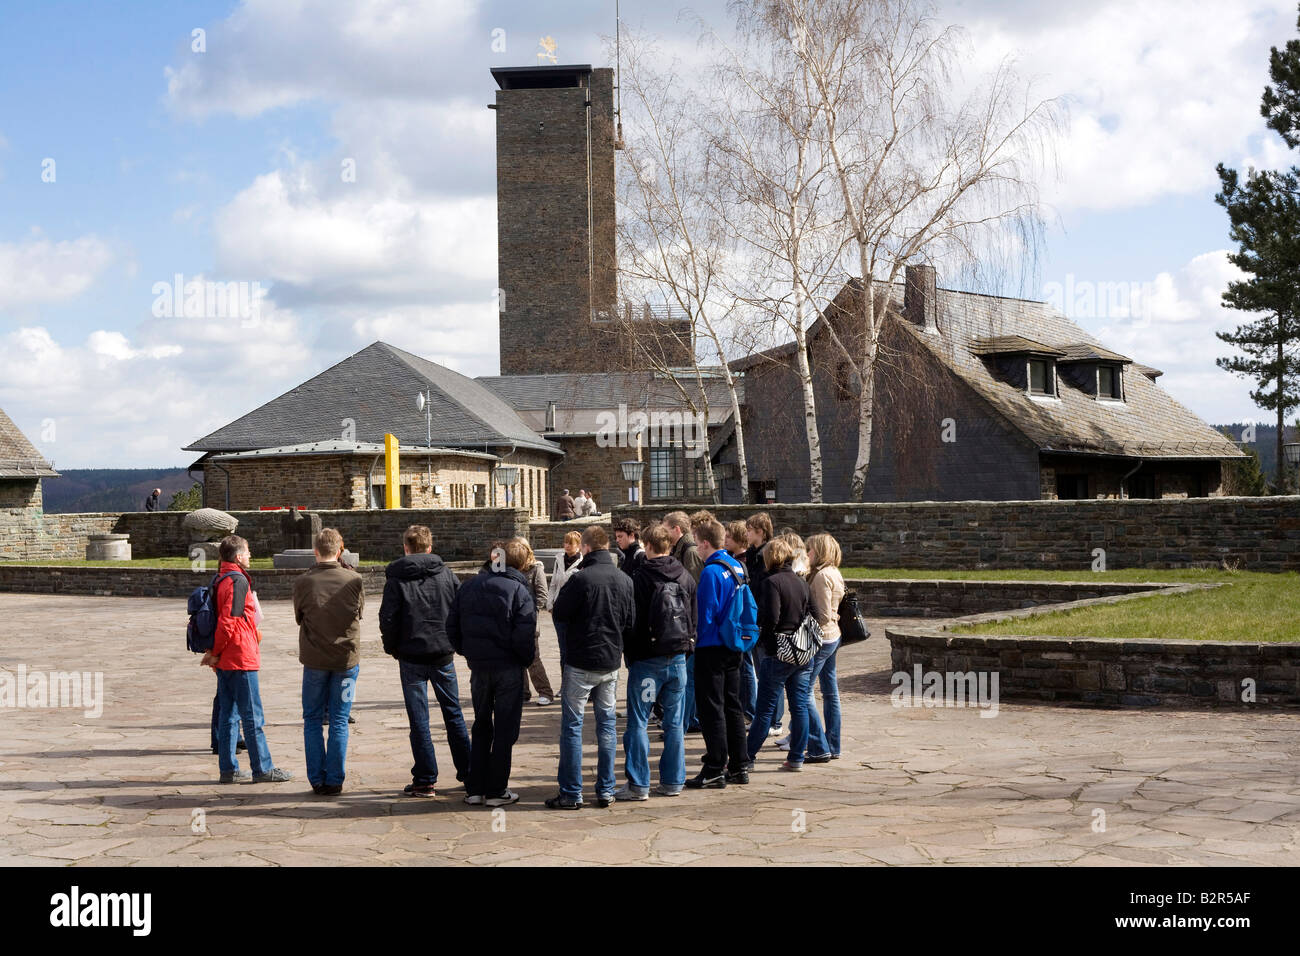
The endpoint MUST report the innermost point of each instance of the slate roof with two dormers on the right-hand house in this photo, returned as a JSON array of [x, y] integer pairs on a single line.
[[1149, 425]]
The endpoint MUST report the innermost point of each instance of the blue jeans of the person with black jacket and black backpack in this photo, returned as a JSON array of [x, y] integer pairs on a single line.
[[664, 680]]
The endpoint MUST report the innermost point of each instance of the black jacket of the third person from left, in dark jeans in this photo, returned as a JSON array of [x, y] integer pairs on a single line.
[[418, 595]]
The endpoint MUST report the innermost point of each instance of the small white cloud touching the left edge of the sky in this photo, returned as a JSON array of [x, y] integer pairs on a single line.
[[40, 270]]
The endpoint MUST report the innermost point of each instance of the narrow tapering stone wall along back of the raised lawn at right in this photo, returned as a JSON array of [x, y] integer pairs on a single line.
[[947, 599]]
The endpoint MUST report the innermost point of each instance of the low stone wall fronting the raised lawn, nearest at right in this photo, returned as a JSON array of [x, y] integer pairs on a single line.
[[1110, 673]]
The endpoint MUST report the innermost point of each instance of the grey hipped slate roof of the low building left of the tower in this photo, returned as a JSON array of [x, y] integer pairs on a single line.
[[376, 391]]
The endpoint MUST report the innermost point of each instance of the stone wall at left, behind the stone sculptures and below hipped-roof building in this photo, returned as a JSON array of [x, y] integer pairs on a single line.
[[376, 535]]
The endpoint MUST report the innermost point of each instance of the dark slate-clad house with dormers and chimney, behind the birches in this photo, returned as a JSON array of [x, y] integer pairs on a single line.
[[978, 397]]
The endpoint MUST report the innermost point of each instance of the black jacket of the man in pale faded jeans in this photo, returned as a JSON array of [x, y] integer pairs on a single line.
[[599, 612]]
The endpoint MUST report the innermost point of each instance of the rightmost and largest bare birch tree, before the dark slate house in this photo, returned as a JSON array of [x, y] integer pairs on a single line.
[[924, 172]]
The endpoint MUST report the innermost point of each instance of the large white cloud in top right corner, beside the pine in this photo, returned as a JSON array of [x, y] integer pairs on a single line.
[[1159, 93]]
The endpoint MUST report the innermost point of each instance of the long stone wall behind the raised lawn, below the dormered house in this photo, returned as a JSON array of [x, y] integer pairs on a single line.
[[1256, 534]]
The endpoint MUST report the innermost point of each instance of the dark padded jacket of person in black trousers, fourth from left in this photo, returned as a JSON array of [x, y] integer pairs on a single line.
[[493, 621]]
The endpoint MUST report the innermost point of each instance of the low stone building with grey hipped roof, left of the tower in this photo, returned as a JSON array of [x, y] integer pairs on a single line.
[[322, 444]]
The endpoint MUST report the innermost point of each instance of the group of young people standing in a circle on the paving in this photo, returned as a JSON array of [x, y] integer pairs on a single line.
[[657, 599]]
